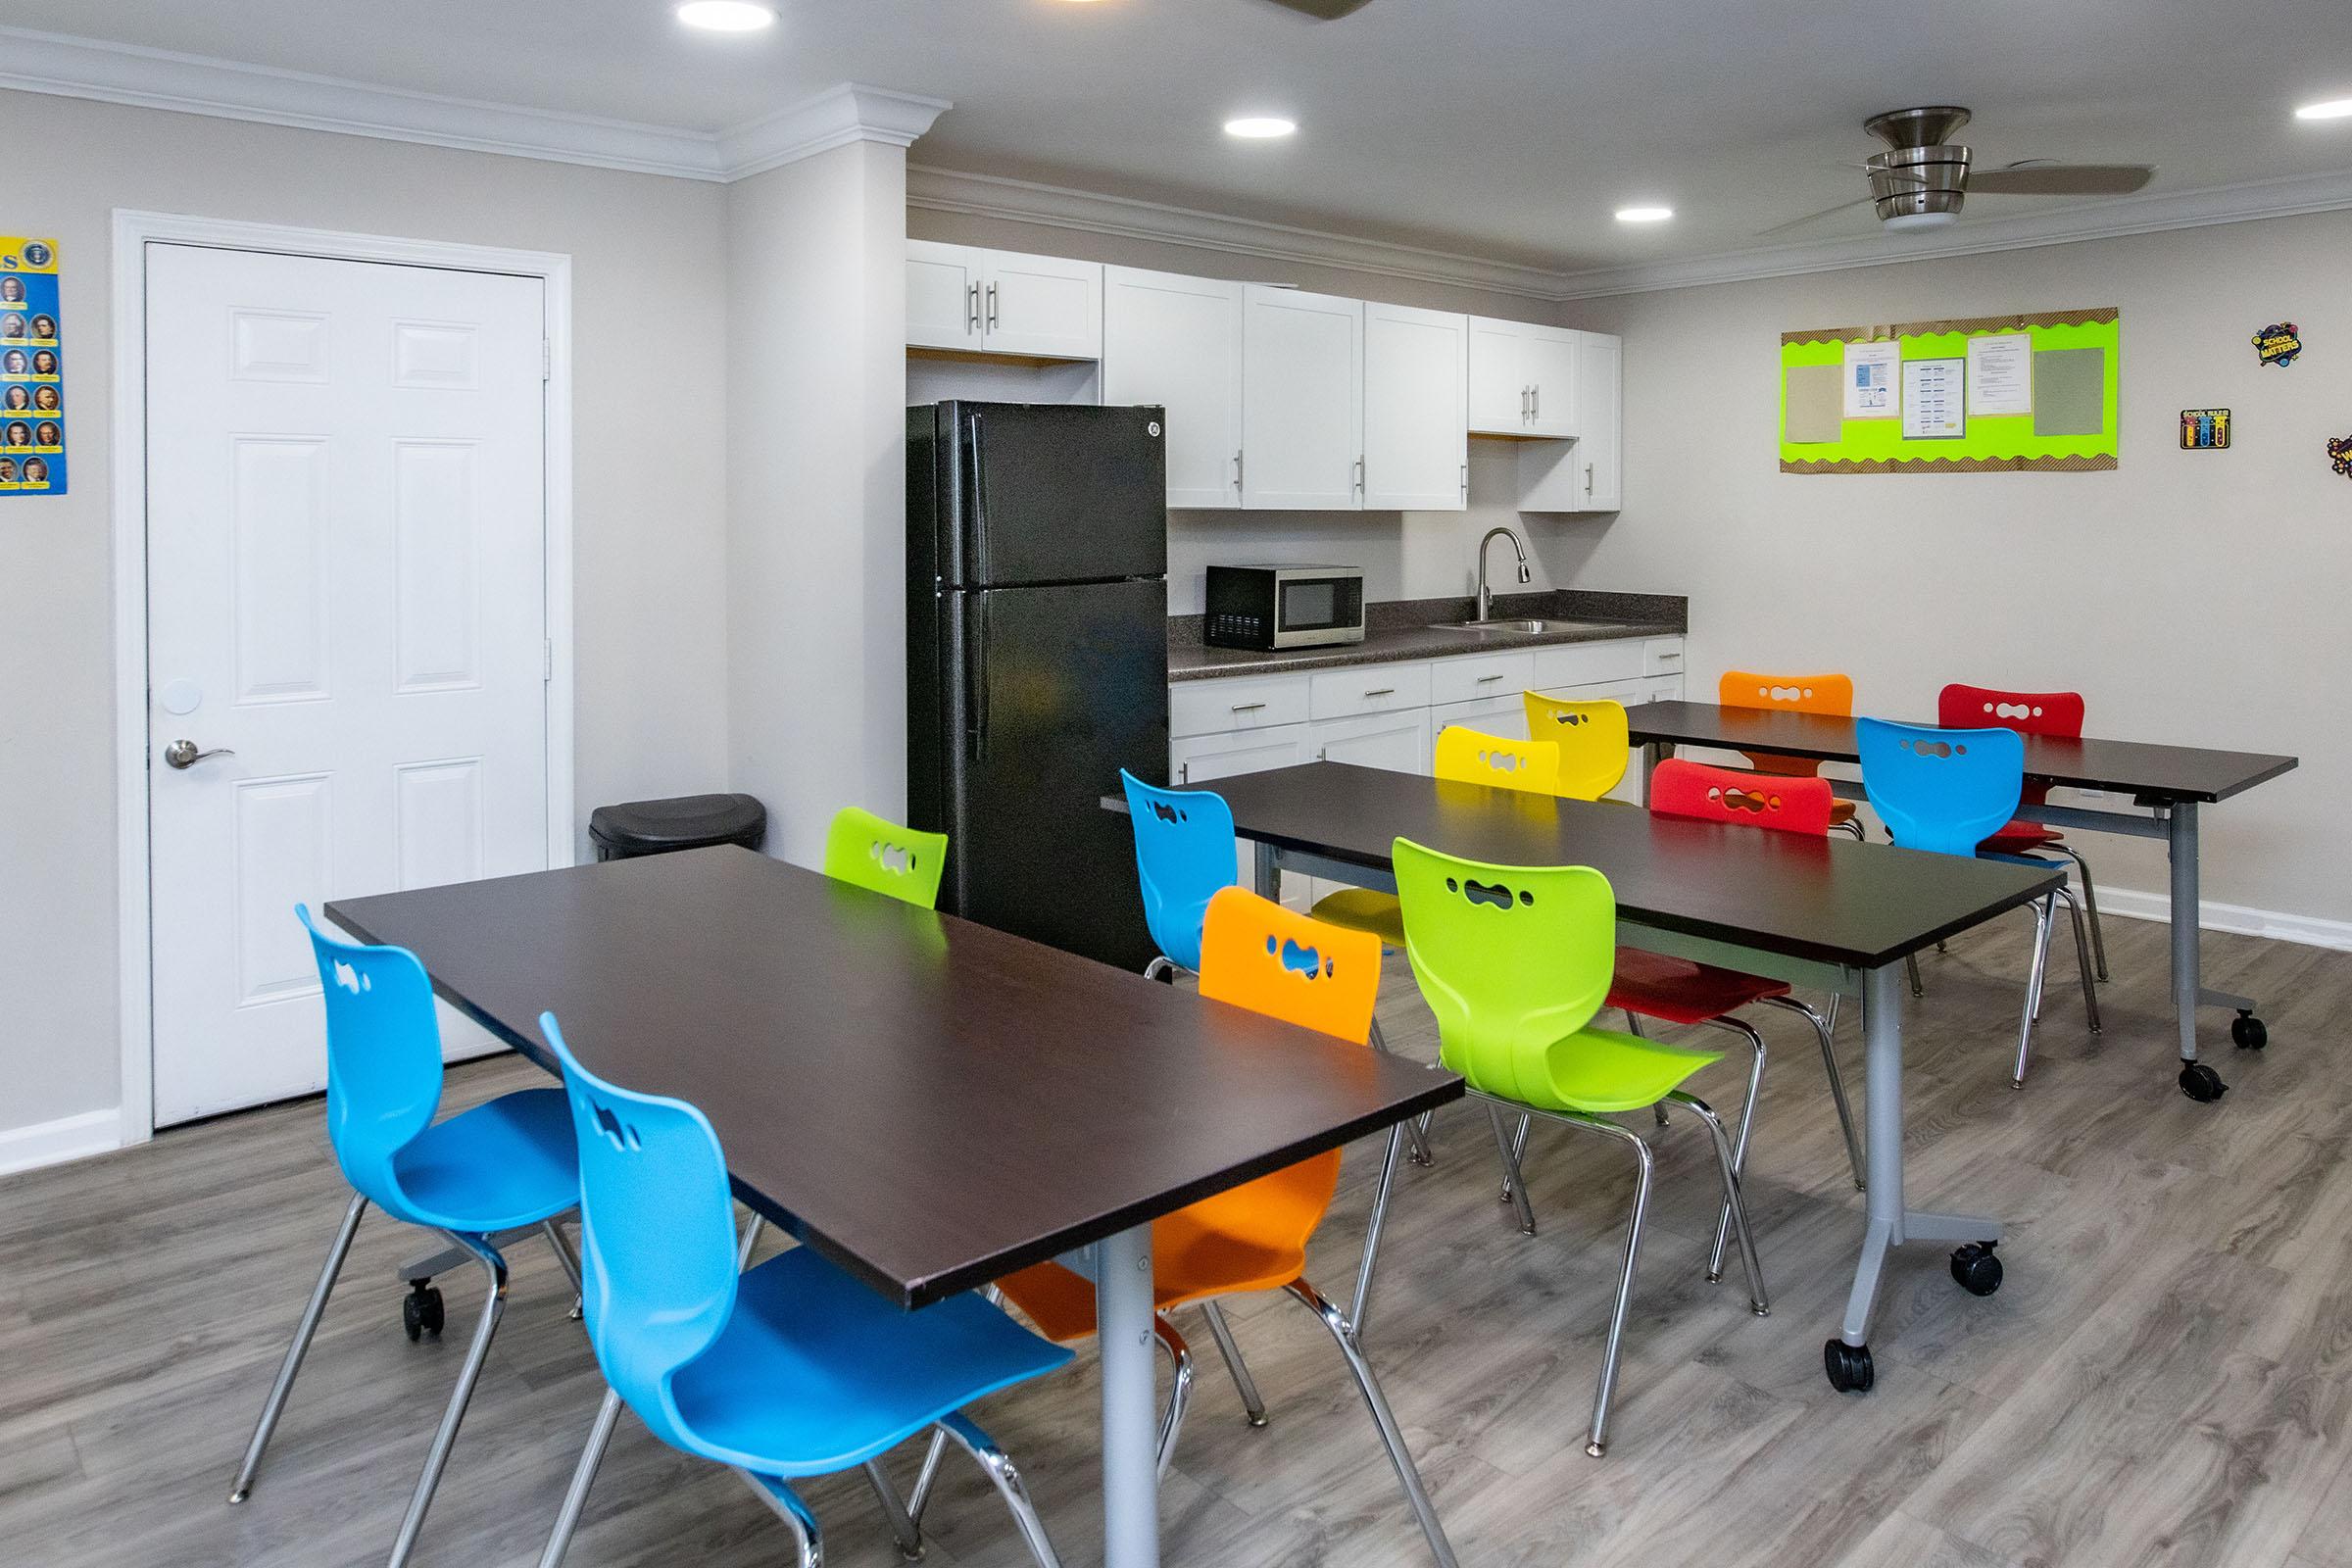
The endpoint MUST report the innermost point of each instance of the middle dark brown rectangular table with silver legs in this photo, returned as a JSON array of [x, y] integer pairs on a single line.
[[1824, 913]]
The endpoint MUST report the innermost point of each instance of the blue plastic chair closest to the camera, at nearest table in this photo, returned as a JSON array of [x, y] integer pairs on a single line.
[[791, 1369]]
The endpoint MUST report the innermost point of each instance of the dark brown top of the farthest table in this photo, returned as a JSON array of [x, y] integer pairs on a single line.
[[2134, 768]]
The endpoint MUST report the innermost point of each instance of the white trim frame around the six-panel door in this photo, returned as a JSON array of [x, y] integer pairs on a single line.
[[133, 232]]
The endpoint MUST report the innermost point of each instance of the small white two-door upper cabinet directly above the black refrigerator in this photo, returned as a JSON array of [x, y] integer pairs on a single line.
[[1003, 302]]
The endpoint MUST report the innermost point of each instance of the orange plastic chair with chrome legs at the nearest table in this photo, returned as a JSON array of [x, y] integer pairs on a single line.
[[1255, 1238]]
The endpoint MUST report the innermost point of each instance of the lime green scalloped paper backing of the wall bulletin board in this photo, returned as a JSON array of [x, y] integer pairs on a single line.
[[1991, 443]]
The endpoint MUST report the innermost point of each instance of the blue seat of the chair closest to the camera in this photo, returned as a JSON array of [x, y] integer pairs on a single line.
[[817, 1374]]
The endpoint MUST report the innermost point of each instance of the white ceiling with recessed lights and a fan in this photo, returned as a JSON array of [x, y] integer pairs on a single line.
[[1495, 128]]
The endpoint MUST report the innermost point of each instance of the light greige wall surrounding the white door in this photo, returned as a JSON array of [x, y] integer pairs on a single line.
[[650, 542]]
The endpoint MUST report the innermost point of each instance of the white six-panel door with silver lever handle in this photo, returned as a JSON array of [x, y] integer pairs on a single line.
[[347, 561]]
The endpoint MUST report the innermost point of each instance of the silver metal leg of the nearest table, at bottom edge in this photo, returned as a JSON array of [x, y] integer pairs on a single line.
[[1123, 1301]]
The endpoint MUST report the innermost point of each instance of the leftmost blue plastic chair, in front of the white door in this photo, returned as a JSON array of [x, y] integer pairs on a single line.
[[490, 1170]]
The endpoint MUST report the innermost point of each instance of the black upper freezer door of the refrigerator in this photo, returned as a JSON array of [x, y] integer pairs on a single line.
[[1050, 495]]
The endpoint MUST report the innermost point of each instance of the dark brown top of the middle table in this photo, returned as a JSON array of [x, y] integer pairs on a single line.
[[1775, 892]]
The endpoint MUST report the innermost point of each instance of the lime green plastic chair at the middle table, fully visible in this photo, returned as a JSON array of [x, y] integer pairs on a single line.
[[1516, 963]]
